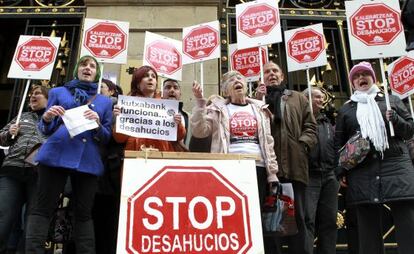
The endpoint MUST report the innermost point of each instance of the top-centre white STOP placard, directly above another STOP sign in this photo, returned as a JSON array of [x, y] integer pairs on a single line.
[[258, 23]]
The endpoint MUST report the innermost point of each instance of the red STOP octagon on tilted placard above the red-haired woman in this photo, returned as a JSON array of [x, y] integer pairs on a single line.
[[164, 57]]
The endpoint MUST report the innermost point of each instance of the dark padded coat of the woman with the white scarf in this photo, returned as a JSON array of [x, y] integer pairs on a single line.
[[377, 180]]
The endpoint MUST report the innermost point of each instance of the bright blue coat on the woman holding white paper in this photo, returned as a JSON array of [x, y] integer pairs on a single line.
[[80, 153]]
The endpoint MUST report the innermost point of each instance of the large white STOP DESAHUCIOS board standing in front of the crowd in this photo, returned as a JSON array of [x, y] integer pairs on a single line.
[[189, 206]]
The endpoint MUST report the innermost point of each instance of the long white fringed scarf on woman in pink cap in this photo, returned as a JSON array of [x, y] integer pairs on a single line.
[[370, 118]]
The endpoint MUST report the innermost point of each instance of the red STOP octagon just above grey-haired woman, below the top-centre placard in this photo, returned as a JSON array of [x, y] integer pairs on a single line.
[[247, 61]]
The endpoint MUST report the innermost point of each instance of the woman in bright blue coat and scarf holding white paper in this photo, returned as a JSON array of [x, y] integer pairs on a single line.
[[78, 157]]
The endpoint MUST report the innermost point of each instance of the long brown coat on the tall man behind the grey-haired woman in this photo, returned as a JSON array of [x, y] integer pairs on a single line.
[[297, 128]]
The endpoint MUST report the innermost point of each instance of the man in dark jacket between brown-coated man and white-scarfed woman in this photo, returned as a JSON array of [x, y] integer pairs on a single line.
[[321, 193]]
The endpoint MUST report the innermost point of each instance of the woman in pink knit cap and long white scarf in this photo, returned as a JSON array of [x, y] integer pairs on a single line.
[[386, 175]]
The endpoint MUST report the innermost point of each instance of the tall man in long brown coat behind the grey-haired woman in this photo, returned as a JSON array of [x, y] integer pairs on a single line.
[[294, 132]]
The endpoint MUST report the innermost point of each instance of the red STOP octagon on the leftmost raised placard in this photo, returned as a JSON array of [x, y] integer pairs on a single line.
[[35, 54]]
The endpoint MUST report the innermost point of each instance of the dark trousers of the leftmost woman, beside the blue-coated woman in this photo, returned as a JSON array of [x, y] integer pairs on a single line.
[[14, 193]]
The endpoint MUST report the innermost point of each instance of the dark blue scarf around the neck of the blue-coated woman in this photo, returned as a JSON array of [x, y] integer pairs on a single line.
[[81, 90]]
